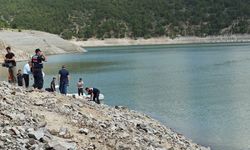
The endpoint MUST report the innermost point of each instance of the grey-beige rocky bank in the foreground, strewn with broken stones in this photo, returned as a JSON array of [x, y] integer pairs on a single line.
[[40, 120]]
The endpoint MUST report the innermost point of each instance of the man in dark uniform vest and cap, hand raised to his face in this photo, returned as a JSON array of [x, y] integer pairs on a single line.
[[37, 66]]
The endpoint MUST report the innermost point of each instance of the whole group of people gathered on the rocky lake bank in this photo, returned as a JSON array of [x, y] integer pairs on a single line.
[[35, 67]]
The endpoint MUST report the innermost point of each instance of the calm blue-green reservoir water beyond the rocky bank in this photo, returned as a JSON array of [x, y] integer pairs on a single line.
[[201, 91]]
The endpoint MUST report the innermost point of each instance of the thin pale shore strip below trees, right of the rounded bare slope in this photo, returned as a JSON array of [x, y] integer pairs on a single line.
[[162, 40]]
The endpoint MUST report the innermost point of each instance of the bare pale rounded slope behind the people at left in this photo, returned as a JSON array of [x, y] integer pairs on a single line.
[[24, 43]]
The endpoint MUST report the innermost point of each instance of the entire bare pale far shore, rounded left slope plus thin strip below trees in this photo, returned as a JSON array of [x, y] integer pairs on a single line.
[[25, 42]]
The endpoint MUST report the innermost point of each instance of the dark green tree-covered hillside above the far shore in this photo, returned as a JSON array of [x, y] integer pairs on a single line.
[[100, 19]]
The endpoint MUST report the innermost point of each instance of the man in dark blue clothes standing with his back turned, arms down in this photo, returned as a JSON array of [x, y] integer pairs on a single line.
[[63, 80]]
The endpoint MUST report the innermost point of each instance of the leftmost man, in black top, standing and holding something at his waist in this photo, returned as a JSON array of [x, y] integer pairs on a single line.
[[11, 64]]
